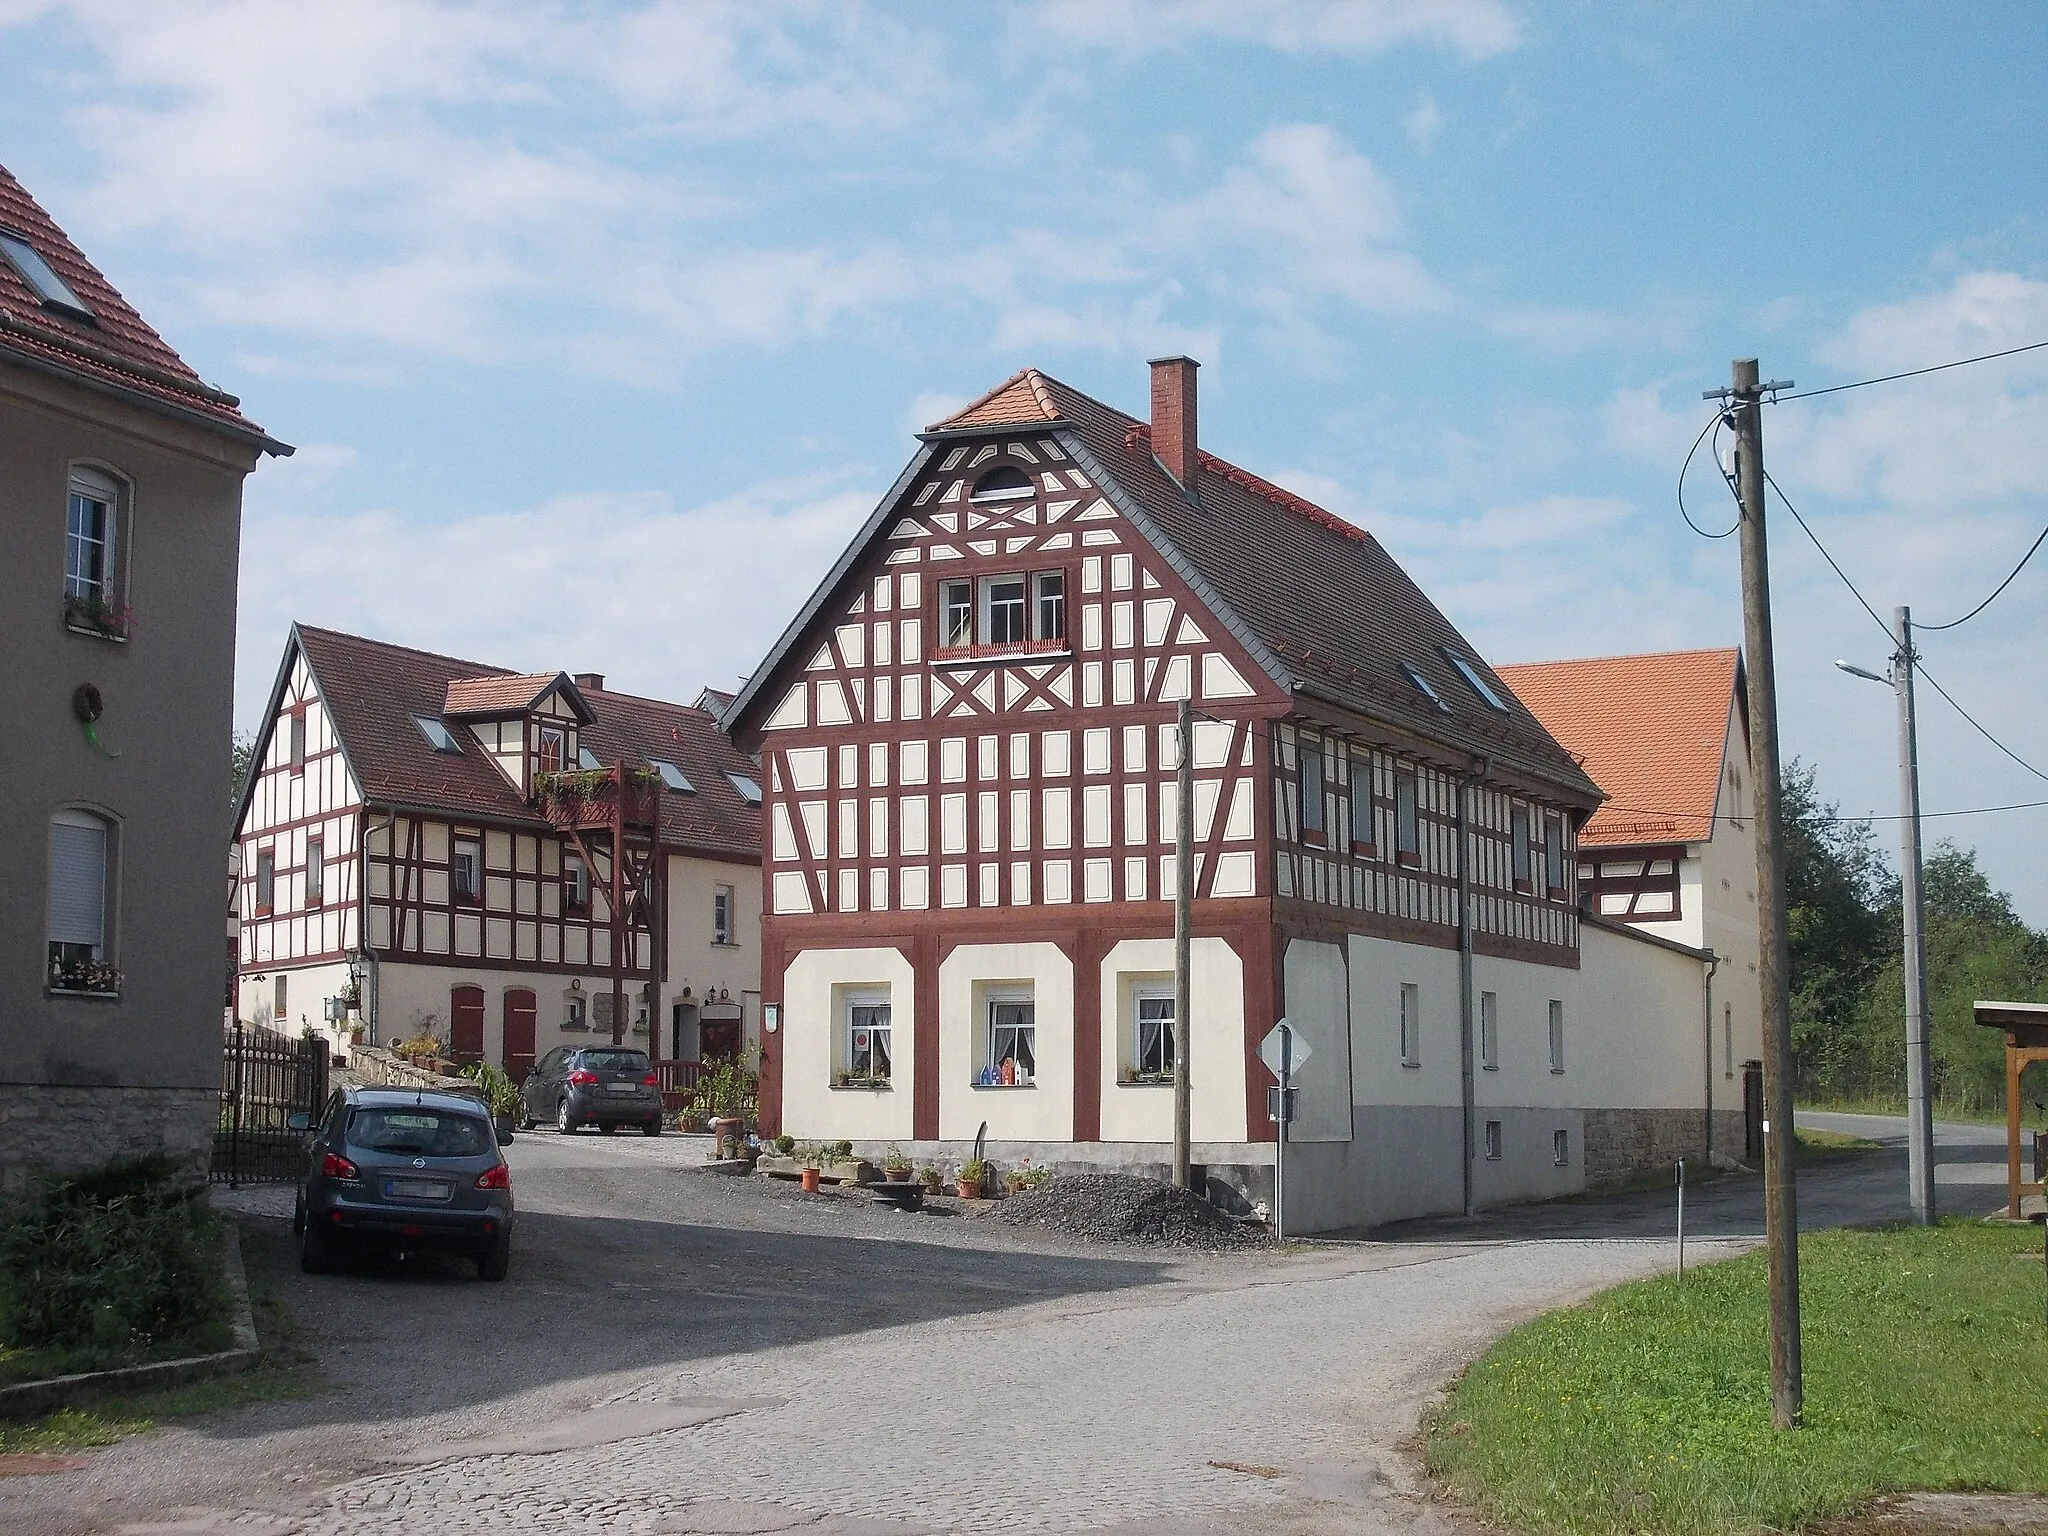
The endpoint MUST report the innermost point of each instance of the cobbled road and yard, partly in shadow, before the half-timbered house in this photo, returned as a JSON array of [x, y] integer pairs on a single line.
[[683, 1353]]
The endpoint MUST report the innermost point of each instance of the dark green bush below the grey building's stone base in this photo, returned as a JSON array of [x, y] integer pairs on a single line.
[[118, 1261]]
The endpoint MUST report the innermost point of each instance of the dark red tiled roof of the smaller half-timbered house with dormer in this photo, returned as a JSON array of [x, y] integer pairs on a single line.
[[374, 691]]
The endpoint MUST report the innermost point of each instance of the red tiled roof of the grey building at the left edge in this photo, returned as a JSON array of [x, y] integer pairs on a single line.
[[120, 349]]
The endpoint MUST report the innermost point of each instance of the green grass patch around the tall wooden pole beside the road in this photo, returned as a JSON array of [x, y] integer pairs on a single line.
[[1650, 1406]]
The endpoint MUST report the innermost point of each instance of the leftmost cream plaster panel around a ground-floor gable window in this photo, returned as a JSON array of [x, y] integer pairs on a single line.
[[812, 1107]]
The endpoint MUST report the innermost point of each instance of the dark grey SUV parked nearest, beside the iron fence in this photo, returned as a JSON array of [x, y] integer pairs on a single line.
[[402, 1170]]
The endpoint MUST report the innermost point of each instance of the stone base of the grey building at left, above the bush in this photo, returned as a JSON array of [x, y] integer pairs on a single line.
[[48, 1129]]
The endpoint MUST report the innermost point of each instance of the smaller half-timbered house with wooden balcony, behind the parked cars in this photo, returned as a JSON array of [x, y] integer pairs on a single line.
[[507, 861]]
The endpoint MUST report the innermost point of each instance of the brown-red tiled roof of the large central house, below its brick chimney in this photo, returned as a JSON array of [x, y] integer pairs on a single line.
[[1320, 593]]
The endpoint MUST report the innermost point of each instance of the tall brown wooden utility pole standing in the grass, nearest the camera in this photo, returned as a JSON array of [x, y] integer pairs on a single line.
[[1781, 1201]]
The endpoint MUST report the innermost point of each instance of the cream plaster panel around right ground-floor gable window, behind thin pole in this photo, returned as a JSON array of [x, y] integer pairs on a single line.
[[1218, 1039]]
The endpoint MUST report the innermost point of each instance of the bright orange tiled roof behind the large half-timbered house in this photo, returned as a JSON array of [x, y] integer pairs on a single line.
[[1652, 732]]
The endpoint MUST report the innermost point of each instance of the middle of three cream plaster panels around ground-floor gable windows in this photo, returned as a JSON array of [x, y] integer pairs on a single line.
[[1037, 1113]]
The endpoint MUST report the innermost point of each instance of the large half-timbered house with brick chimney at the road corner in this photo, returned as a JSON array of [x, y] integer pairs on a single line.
[[970, 761]]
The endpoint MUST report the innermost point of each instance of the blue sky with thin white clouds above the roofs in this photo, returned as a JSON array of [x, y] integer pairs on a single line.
[[603, 329]]
